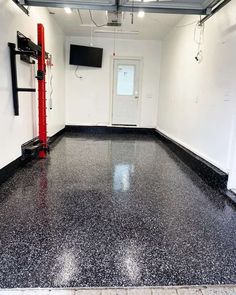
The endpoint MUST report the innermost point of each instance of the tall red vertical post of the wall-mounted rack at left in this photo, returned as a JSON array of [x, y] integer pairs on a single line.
[[42, 93]]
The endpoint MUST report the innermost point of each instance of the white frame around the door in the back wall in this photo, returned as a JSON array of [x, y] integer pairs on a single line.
[[112, 62]]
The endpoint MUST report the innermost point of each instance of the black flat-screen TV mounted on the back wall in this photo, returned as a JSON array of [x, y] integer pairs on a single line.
[[86, 56]]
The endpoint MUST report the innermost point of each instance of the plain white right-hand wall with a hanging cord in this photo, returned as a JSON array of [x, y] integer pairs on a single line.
[[197, 101]]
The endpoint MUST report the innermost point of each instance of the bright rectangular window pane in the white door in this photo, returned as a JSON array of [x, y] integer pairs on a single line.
[[125, 80]]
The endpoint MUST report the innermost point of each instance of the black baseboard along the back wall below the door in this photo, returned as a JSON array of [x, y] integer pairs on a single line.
[[108, 129]]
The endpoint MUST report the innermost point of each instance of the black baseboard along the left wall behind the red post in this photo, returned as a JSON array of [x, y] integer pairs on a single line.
[[9, 170]]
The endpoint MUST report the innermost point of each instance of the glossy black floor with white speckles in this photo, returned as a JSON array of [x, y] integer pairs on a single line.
[[114, 210]]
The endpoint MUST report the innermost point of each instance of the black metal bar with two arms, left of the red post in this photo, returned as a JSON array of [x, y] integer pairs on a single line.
[[15, 88]]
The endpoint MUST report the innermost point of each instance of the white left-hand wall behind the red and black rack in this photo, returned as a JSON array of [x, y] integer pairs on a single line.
[[15, 131]]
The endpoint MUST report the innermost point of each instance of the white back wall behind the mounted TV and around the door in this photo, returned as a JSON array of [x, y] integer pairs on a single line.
[[88, 99]]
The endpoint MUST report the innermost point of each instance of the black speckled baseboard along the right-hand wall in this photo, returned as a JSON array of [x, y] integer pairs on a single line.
[[208, 172]]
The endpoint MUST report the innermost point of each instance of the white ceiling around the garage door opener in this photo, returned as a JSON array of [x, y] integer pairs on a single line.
[[151, 27]]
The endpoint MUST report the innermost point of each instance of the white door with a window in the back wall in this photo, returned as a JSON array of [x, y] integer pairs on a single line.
[[126, 91]]
